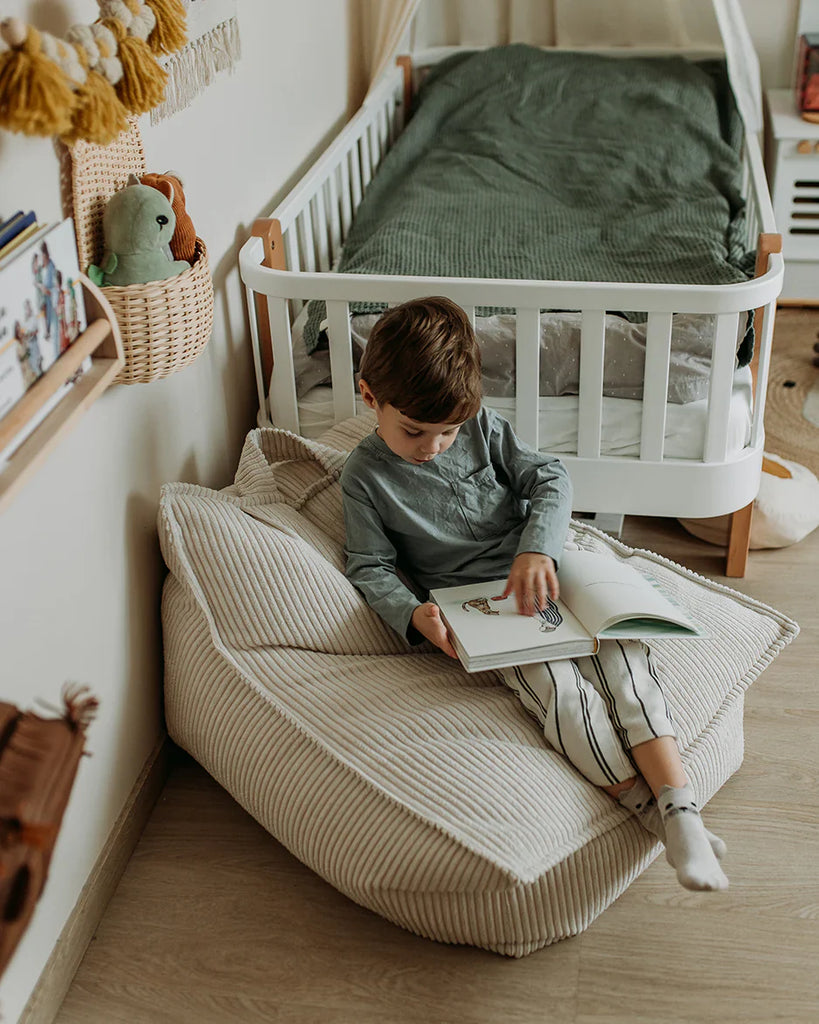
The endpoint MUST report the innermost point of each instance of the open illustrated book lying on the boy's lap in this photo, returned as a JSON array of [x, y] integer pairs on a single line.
[[600, 599]]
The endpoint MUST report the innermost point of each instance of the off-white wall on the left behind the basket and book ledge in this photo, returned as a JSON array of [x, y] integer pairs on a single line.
[[81, 570]]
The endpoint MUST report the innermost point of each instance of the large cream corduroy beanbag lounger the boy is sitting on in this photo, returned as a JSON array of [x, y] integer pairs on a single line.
[[419, 791]]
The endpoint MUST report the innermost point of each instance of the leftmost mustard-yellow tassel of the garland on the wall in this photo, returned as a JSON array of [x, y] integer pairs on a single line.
[[35, 97]]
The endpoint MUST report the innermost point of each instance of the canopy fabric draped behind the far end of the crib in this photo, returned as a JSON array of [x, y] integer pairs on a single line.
[[648, 24]]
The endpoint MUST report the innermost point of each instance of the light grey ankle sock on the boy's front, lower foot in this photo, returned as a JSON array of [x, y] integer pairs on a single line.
[[687, 846]]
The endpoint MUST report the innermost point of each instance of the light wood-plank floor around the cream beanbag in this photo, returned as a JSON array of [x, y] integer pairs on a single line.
[[215, 923]]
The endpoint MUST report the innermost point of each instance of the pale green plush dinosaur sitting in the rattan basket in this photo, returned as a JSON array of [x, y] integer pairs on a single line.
[[139, 225]]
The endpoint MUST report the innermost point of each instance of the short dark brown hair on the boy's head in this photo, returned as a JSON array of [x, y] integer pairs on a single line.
[[424, 360]]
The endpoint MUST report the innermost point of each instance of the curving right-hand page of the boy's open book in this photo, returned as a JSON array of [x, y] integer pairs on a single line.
[[602, 592]]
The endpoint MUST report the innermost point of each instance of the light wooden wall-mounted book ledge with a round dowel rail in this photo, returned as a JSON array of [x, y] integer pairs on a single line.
[[55, 401]]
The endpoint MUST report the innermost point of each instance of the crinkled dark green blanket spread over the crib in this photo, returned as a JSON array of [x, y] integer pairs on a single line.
[[530, 164]]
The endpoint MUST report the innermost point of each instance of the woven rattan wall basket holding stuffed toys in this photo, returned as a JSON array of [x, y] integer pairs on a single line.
[[164, 324]]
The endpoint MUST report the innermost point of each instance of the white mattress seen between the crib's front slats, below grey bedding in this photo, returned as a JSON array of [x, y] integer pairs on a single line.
[[685, 425]]
